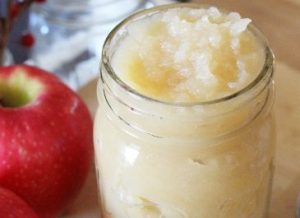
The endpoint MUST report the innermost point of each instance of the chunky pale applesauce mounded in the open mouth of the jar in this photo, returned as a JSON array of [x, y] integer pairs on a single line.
[[188, 55]]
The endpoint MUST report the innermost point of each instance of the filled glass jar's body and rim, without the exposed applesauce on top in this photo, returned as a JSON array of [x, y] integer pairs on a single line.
[[209, 159]]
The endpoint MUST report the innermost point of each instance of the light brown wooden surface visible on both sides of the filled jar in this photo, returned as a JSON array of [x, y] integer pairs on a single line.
[[280, 22]]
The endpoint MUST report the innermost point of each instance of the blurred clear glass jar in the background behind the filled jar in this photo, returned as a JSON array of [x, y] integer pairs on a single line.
[[70, 33]]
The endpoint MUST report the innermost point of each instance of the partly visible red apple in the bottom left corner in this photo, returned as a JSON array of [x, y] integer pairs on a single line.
[[13, 206]]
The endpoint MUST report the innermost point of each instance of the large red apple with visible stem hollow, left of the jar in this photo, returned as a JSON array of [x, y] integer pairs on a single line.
[[45, 139]]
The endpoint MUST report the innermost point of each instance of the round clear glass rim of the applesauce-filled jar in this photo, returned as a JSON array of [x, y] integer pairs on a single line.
[[268, 63]]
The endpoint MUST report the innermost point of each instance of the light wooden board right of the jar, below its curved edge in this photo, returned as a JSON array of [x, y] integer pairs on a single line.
[[287, 173]]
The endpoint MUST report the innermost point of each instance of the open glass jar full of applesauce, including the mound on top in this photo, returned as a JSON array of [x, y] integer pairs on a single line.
[[184, 127]]
